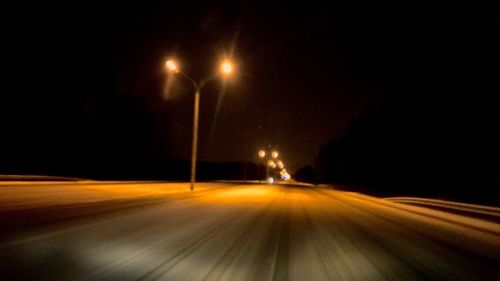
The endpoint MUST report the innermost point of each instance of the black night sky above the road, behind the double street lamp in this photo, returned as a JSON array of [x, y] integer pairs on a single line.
[[72, 72]]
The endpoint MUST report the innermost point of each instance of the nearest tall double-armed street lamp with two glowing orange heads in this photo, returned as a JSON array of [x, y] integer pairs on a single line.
[[226, 69]]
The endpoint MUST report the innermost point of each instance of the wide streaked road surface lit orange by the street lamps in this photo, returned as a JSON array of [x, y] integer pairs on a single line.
[[234, 232]]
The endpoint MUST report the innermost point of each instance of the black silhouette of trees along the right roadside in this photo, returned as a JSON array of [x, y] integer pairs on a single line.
[[416, 149]]
